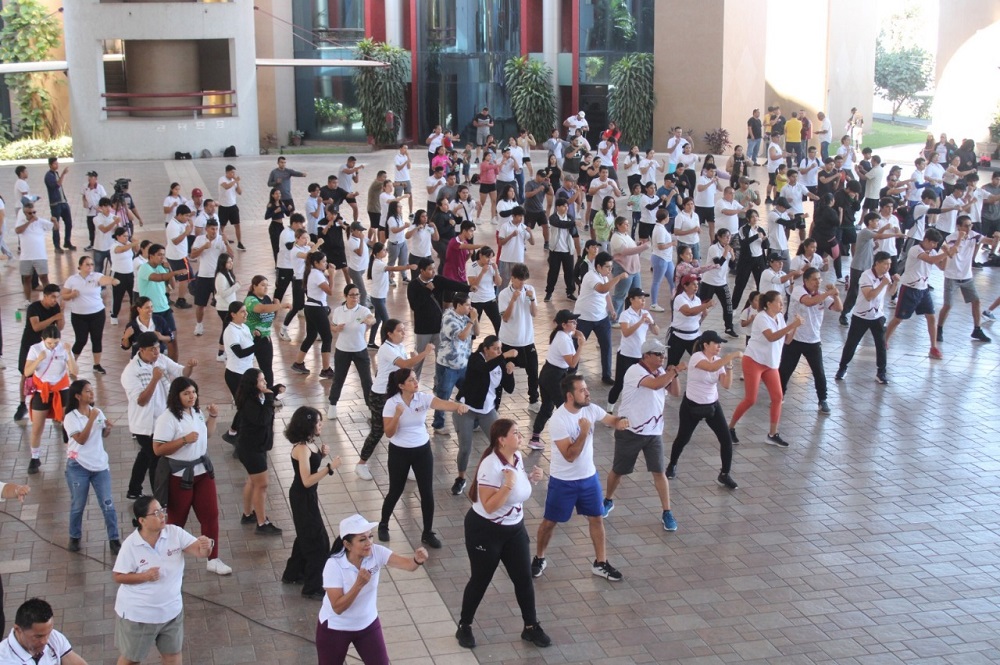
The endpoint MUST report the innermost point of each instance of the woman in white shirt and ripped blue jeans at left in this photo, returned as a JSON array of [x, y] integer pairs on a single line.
[[87, 464]]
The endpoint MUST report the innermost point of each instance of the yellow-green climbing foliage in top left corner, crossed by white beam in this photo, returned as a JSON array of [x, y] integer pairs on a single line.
[[29, 33]]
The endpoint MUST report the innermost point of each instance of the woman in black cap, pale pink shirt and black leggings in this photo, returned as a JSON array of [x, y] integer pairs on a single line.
[[706, 371]]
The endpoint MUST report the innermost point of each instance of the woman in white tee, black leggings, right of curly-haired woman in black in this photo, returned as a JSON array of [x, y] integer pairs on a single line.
[[405, 422]]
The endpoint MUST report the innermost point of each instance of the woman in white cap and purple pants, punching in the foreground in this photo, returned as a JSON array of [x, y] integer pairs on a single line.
[[350, 612]]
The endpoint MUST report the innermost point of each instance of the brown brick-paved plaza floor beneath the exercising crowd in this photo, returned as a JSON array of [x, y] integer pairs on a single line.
[[872, 539]]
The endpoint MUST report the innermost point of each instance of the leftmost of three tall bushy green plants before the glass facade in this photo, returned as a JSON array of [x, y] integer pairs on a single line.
[[381, 89]]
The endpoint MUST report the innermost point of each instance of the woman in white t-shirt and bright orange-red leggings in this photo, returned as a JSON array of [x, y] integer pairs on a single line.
[[761, 361]]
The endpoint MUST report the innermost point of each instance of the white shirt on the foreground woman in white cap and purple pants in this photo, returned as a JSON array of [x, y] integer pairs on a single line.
[[339, 573]]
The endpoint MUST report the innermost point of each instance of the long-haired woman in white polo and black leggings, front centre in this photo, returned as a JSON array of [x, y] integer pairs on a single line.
[[494, 531]]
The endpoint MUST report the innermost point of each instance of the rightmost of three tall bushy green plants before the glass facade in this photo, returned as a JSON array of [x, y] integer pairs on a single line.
[[630, 98]]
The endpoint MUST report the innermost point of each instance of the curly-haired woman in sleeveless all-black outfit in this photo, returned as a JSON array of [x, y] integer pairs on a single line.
[[312, 543]]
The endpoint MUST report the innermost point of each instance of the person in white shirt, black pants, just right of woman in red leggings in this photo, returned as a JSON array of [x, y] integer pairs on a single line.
[[809, 302]]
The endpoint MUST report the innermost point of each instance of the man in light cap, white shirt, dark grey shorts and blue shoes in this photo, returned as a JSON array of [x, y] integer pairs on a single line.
[[645, 385]]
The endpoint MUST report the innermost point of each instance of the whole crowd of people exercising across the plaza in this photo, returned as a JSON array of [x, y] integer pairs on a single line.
[[473, 310]]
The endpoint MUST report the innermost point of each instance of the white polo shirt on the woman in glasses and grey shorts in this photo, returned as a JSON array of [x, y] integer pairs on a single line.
[[159, 601]]
